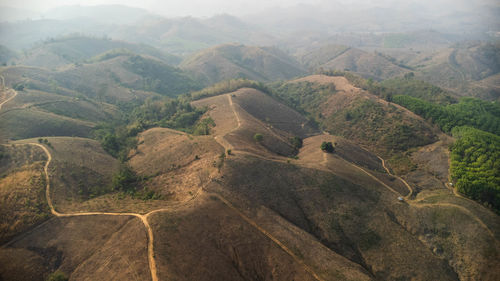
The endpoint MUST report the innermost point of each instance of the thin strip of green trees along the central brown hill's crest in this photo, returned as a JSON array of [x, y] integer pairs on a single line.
[[228, 86]]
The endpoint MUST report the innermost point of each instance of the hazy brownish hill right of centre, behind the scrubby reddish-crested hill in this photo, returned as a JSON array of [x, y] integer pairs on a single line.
[[343, 58]]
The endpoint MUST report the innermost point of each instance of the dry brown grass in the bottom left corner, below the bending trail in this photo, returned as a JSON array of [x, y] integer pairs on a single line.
[[89, 248]]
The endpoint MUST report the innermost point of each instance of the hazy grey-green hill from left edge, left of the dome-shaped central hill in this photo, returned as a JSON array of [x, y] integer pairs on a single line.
[[113, 78]]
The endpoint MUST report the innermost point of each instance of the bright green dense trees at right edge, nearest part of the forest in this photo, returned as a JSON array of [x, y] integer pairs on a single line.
[[475, 165]]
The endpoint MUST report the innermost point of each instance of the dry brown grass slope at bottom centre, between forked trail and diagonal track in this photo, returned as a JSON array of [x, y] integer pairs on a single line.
[[212, 242]]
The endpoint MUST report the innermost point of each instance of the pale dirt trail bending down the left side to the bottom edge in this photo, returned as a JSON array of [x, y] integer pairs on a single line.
[[143, 218]]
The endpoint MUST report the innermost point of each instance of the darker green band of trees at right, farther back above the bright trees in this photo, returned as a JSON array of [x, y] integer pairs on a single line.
[[468, 112]]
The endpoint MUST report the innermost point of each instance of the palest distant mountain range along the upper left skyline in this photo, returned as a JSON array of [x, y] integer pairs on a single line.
[[179, 36]]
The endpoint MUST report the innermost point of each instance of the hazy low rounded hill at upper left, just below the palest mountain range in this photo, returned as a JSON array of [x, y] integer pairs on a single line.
[[58, 52]]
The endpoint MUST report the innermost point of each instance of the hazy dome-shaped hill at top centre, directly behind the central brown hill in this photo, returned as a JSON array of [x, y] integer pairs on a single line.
[[238, 61]]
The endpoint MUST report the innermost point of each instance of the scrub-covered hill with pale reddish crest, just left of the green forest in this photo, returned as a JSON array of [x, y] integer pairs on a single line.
[[358, 115]]
